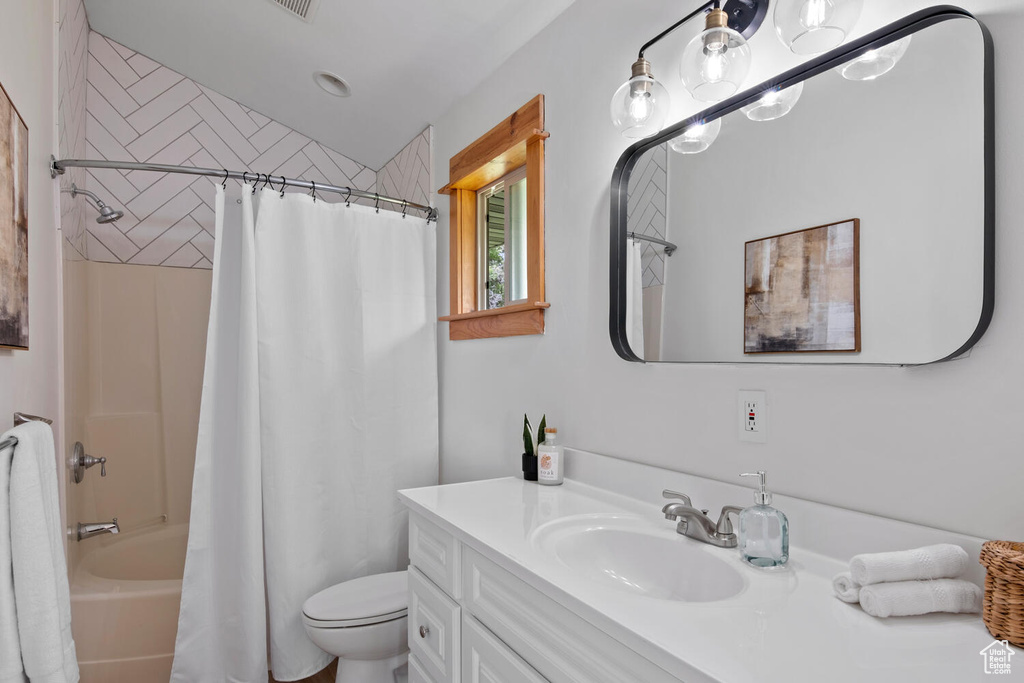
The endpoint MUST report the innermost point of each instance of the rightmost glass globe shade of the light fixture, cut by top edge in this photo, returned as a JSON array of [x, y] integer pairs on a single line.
[[812, 27]]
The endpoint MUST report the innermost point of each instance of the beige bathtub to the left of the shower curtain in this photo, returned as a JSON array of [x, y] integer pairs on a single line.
[[124, 605]]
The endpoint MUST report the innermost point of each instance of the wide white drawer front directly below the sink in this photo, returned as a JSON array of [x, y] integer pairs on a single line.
[[561, 646]]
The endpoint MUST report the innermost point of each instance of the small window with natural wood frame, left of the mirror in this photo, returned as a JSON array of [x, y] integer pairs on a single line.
[[497, 230]]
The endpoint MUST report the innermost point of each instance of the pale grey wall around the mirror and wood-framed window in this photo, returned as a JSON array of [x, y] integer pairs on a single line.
[[933, 445]]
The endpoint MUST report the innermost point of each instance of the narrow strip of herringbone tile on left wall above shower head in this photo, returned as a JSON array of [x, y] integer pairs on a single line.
[[73, 56]]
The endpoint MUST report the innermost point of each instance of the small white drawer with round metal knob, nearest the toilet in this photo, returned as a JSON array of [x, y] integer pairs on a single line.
[[435, 625]]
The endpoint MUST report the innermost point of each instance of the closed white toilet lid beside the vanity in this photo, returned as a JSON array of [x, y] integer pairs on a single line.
[[365, 600]]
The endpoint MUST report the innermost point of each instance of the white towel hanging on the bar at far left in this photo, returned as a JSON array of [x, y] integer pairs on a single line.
[[45, 649]]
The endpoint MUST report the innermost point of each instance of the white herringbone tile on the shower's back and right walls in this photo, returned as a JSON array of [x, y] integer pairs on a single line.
[[139, 110]]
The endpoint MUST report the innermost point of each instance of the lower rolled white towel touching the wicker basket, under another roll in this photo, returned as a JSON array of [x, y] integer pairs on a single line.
[[907, 599]]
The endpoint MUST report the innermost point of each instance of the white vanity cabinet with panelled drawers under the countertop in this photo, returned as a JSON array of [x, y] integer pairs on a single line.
[[472, 621]]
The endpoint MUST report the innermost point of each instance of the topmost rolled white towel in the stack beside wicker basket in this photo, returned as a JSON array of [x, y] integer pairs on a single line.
[[942, 562]]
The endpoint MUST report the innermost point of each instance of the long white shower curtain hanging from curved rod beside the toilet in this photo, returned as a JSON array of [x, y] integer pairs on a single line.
[[320, 402]]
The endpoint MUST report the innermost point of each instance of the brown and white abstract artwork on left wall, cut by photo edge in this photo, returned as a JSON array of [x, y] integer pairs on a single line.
[[14, 227]]
